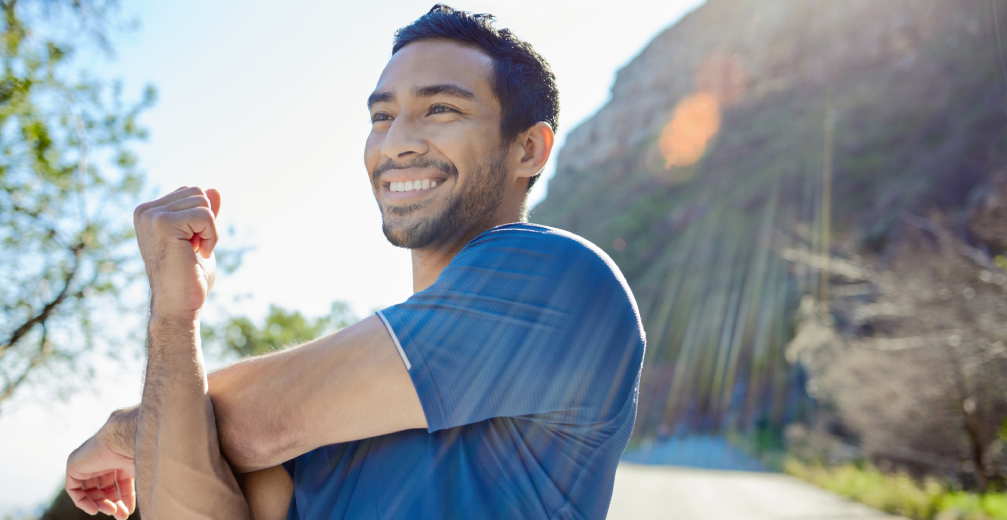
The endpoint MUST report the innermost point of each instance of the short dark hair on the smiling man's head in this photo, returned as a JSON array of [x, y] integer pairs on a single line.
[[522, 79]]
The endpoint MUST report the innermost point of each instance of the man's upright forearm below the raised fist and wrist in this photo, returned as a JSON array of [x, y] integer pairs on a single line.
[[181, 473]]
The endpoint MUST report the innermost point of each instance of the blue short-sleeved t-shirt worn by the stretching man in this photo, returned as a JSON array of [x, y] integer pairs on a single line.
[[526, 354]]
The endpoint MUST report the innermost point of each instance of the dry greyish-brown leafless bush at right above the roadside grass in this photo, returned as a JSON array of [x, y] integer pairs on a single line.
[[911, 353]]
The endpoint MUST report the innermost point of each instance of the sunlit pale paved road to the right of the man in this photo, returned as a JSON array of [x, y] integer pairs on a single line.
[[667, 493]]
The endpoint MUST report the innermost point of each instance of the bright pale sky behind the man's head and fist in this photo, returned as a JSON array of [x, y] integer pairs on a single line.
[[265, 101]]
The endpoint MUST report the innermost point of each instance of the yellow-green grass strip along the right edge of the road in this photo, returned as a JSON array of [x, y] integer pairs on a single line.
[[901, 494]]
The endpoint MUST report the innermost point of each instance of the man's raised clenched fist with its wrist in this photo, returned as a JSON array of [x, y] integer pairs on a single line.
[[177, 235]]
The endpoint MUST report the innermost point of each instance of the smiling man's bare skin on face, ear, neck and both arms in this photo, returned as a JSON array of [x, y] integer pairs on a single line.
[[193, 433]]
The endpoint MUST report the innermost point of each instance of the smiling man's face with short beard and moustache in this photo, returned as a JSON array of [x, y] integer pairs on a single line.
[[435, 154]]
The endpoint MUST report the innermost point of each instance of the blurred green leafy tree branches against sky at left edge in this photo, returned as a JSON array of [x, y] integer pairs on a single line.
[[68, 184]]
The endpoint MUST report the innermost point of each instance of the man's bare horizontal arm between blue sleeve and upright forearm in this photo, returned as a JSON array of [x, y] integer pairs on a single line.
[[346, 386]]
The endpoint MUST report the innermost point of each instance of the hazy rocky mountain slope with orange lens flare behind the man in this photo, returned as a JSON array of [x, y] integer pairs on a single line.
[[749, 145]]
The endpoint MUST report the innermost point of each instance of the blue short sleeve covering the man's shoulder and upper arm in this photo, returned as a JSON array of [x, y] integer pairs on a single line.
[[526, 320]]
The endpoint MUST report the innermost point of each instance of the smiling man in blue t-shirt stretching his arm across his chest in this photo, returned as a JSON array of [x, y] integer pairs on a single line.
[[506, 387]]
